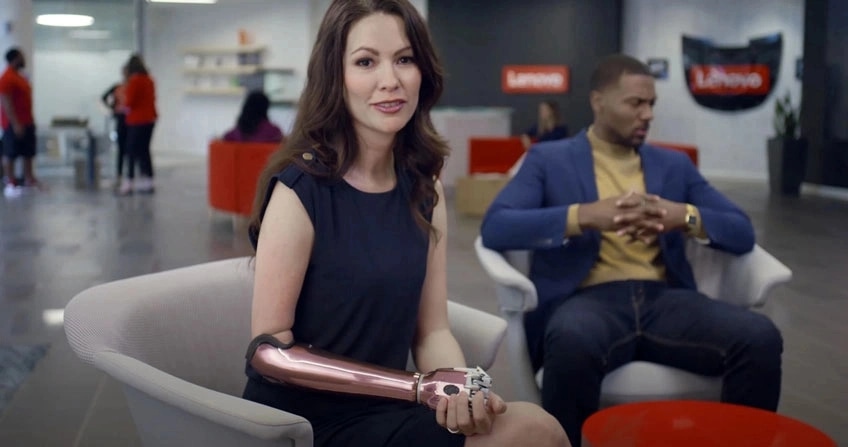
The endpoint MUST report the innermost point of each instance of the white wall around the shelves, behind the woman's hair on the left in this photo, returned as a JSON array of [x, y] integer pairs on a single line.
[[187, 122]]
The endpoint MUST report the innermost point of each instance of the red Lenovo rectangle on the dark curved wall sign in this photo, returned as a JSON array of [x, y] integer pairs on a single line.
[[747, 79]]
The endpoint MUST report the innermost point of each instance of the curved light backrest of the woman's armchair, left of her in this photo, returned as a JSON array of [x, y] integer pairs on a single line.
[[189, 322]]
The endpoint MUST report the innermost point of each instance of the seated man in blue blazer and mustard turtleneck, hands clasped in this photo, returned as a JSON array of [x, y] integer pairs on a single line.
[[608, 218]]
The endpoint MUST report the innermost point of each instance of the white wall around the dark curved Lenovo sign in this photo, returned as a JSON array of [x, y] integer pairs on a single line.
[[731, 144]]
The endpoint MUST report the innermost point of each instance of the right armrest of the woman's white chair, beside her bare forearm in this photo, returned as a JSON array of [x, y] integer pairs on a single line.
[[478, 333]]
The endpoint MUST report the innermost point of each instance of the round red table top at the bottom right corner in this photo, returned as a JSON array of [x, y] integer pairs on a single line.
[[697, 424]]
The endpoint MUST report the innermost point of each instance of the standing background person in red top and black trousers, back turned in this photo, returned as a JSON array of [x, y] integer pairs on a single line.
[[140, 101]]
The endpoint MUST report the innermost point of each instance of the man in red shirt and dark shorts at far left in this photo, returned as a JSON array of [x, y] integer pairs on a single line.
[[17, 120]]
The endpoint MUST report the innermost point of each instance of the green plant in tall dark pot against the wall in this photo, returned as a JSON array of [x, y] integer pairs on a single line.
[[787, 150]]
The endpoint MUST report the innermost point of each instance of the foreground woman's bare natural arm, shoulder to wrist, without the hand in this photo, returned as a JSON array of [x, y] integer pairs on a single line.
[[434, 345]]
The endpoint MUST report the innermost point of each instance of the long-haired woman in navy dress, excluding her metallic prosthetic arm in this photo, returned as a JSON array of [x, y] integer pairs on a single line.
[[350, 232]]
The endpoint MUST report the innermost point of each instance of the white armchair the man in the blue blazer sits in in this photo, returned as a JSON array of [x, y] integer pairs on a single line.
[[746, 279]]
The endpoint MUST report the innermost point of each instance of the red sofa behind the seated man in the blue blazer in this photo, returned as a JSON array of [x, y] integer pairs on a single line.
[[499, 154]]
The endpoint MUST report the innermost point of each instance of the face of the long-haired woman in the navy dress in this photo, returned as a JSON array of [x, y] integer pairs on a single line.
[[381, 77]]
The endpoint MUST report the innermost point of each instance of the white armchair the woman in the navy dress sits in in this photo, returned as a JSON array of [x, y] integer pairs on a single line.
[[177, 339]]
